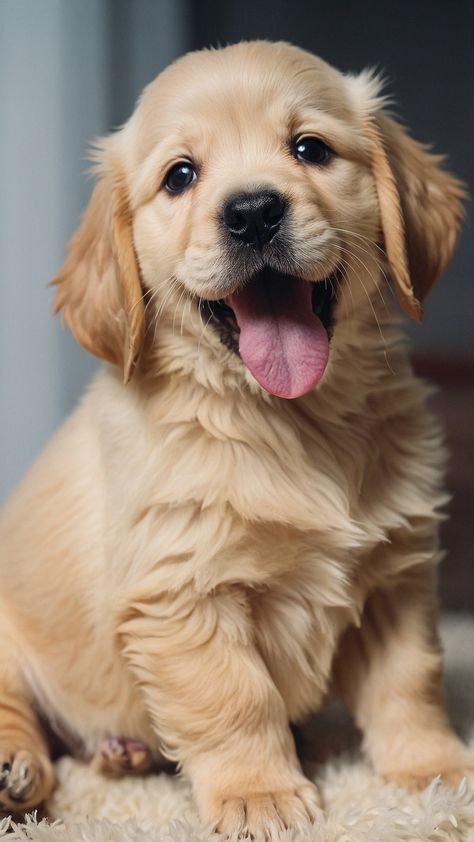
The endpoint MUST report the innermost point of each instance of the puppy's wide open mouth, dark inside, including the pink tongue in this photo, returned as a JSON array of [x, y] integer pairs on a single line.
[[280, 325]]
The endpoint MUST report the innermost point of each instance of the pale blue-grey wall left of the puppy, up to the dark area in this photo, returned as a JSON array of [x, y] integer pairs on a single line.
[[69, 70]]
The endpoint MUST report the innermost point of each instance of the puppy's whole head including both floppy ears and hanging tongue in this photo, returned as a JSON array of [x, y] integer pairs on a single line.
[[265, 192]]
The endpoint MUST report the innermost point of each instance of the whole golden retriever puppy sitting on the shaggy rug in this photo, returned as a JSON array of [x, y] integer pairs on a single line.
[[250, 520]]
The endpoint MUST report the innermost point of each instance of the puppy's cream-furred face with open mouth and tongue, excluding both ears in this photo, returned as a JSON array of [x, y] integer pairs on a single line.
[[256, 188]]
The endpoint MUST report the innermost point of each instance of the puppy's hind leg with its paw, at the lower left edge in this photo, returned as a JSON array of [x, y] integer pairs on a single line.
[[26, 772]]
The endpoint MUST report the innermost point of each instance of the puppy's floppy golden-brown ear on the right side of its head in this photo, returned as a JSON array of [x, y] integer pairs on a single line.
[[420, 208]]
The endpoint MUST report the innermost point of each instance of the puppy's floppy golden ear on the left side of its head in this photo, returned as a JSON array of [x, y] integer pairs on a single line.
[[100, 295]]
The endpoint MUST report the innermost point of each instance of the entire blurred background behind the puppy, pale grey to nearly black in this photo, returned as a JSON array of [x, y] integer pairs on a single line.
[[72, 69]]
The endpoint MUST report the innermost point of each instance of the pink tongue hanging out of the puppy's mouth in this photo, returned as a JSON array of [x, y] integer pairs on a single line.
[[282, 342]]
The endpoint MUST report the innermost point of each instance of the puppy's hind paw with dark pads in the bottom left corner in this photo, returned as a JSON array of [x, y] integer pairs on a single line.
[[26, 780]]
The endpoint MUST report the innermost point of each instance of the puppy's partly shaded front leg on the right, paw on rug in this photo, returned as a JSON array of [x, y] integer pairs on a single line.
[[390, 674]]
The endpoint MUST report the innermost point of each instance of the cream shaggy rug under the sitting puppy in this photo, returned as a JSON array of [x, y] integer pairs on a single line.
[[359, 808]]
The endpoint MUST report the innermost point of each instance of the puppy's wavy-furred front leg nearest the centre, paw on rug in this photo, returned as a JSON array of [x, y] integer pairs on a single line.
[[217, 710]]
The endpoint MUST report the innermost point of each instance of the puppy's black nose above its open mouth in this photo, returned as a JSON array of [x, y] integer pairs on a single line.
[[254, 218]]
